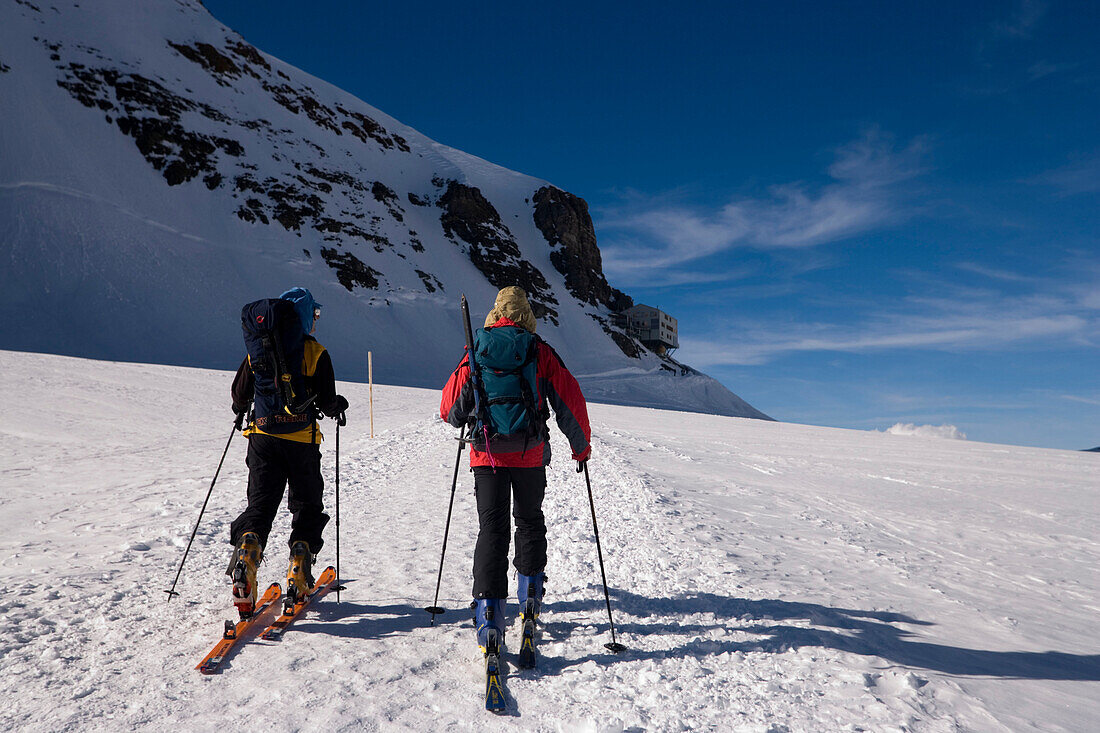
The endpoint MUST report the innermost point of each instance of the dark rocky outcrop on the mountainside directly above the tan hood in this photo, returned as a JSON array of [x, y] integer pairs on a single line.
[[468, 216]]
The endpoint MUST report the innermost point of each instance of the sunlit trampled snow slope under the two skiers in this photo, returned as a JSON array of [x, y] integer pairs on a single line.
[[765, 576]]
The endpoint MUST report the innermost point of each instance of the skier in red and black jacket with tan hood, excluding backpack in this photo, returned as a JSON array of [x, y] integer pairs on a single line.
[[516, 469]]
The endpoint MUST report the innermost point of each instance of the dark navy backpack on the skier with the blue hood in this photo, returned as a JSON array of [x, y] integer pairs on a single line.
[[277, 345]]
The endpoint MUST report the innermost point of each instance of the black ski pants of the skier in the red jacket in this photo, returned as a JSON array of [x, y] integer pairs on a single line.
[[496, 489]]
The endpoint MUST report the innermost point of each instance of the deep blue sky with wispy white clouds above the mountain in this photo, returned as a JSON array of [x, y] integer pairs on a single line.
[[862, 214]]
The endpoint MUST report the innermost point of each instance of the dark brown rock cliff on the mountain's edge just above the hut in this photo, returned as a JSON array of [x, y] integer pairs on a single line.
[[564, 220]]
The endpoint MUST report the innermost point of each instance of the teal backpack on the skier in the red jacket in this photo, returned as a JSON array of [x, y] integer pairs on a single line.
[[508, 359]]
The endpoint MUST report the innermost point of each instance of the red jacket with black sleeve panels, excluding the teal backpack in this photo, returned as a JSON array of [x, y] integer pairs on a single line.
[[555, 386]]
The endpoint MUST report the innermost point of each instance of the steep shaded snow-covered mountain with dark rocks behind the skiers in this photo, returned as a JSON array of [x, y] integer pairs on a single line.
[[159, 172]]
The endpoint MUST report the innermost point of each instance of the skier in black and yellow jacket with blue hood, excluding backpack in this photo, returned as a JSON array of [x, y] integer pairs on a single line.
[[290, 456]]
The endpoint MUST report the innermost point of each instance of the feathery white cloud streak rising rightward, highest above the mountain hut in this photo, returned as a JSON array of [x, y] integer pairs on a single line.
[[866, 191]]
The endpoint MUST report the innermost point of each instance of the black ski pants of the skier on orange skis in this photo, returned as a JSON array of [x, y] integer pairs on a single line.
[[273, 465]]
